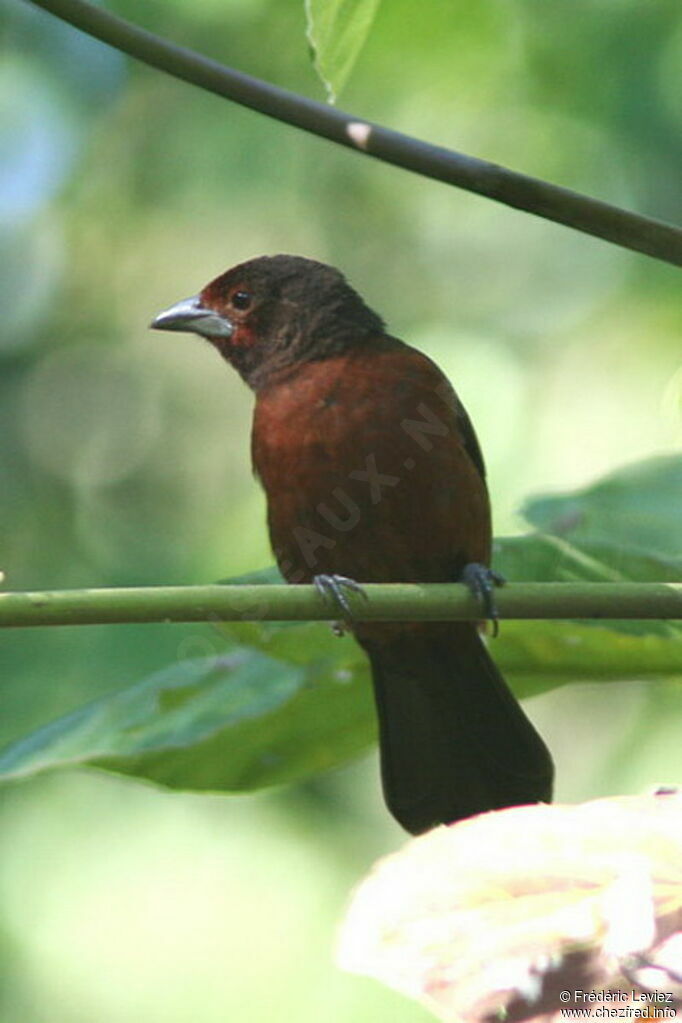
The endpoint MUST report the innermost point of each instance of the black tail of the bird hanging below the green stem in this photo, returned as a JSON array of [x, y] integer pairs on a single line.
[[454, 741]]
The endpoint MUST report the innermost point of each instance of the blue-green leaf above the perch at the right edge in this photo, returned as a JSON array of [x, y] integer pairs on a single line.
[[640, 506]]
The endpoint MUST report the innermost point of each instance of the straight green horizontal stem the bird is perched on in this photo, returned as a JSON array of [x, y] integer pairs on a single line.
[[400, 602]]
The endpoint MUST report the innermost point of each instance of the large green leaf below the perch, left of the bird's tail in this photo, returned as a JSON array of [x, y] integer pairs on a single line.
[[238, 723]]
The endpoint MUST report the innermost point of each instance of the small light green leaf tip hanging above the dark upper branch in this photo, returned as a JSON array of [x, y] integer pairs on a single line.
[[337, 31]]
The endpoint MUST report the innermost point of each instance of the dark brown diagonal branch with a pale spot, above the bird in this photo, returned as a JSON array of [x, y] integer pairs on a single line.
[[630, 231]]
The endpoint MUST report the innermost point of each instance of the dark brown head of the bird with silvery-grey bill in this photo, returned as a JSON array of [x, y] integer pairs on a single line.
[[274, 313]]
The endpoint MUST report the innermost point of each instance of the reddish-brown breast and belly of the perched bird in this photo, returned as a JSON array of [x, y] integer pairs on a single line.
[[372, 470]]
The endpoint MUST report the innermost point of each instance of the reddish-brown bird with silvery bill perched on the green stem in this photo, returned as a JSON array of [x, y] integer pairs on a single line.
[[374, 474]]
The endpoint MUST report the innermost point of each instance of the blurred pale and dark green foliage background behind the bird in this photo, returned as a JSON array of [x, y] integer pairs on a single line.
[[124, 455]]
